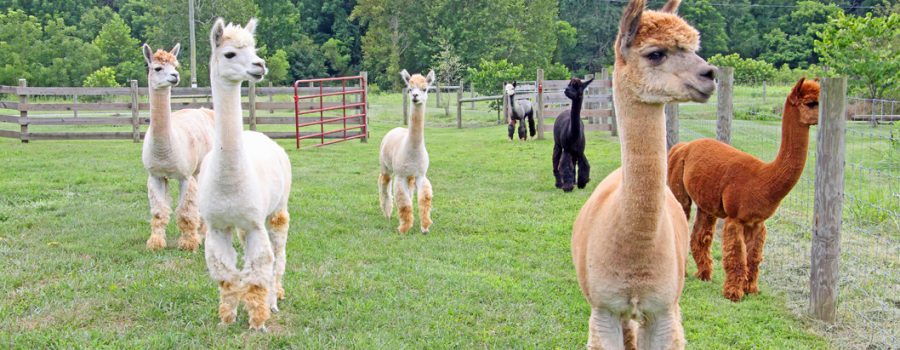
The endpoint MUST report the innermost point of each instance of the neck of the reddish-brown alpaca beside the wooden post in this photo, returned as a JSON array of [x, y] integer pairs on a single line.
[[788, 166]]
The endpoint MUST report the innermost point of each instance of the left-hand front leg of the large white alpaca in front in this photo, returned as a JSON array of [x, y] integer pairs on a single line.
[[221, 260]]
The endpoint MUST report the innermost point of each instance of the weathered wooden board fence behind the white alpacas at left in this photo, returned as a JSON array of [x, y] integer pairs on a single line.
[[120, 107]]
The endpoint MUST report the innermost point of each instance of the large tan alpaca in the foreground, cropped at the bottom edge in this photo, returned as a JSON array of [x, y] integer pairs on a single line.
[[630, 239]]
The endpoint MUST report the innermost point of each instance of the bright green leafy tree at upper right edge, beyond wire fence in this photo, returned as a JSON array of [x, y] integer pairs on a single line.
[[864, 48]]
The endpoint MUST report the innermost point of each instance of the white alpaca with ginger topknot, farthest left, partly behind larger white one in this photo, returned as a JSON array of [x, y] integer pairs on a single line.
[[174, 147]]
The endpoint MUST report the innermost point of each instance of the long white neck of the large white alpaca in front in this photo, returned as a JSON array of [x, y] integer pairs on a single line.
[[229, 116]]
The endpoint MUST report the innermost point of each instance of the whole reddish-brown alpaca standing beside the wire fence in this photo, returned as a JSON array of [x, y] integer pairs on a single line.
[[727, 183]]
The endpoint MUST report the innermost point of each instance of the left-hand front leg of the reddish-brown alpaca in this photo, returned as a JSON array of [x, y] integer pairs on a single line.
[[734, 260]]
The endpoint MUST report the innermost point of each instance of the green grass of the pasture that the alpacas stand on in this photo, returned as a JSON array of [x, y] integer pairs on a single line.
[[495, 271]]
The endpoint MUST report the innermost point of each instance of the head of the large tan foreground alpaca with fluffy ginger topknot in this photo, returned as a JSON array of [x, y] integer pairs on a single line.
[[656, 57]]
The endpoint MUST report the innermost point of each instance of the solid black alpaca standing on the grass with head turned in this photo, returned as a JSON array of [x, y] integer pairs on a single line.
[[568, 141]]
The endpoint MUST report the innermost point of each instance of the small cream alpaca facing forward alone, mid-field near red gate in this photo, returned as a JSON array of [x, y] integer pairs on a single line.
[[404, 158]]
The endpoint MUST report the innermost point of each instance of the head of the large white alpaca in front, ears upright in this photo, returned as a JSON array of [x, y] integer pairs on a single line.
[[234, 58]]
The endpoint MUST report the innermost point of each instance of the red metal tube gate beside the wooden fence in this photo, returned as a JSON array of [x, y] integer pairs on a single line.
[[317, 98]]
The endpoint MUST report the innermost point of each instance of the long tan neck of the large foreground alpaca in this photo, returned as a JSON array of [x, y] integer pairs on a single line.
[[642, 127]]
